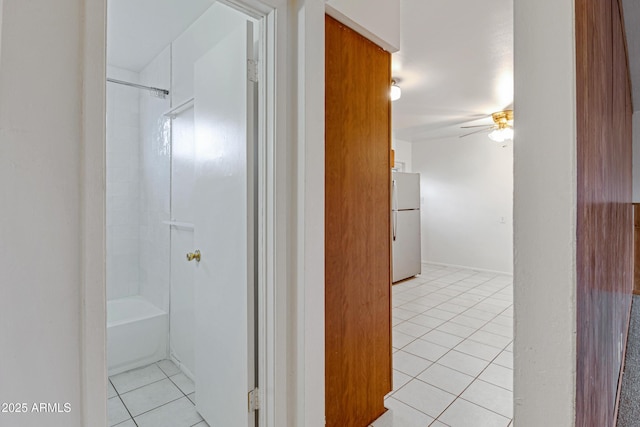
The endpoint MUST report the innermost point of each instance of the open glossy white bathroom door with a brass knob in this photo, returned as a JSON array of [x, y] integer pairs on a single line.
[[223, 232]]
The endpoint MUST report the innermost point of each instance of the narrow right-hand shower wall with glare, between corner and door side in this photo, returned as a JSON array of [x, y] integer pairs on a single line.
[[155, 182]]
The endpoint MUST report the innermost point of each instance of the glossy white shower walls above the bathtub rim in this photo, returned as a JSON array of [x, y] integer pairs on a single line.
[[138, 184]]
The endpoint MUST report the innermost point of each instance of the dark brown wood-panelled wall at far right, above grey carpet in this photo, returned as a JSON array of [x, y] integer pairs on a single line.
[[604, 253]]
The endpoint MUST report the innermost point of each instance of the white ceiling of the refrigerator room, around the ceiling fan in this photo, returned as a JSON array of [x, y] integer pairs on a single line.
[[455, 66]]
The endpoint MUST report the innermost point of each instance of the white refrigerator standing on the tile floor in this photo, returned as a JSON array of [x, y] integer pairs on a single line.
[[405, 222]]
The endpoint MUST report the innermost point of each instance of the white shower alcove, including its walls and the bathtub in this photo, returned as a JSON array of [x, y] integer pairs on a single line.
[[138, 206]]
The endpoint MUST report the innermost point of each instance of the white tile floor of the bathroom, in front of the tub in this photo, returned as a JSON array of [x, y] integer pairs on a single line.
[[158, 395]]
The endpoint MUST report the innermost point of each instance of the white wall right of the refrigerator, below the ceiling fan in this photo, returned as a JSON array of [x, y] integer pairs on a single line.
[[466, 188]]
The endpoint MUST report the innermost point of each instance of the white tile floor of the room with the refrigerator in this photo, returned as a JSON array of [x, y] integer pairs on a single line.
[[452, 350]]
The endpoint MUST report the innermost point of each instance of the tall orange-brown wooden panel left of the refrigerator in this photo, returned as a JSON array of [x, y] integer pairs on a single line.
[[357, 227]]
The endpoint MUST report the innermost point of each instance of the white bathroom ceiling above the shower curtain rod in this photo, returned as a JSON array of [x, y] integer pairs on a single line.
[[137, 31]]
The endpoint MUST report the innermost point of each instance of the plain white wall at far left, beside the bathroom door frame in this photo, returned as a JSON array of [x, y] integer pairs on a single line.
[[41, 252]]
